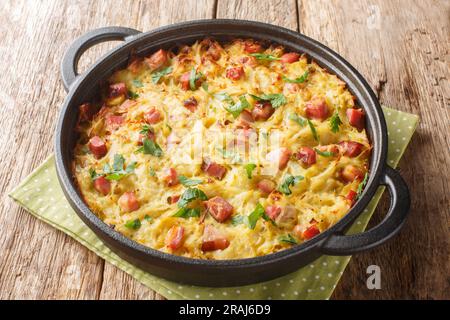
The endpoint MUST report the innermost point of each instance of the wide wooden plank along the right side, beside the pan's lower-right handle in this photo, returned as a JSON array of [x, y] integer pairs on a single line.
[[401, 47]]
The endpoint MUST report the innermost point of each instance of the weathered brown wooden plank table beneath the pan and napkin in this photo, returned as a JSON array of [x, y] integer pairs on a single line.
[[401, 47]]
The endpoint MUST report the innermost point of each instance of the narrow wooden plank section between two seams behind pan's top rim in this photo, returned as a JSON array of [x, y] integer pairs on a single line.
[[279, 12]]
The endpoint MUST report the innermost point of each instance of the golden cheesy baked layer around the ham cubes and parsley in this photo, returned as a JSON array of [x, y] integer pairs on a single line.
[[319, 197]]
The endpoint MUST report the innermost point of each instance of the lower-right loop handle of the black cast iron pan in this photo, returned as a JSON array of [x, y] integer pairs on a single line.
[[339, 244]]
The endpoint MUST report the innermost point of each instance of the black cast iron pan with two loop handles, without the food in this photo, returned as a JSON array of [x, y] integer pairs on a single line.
[[82, 88]]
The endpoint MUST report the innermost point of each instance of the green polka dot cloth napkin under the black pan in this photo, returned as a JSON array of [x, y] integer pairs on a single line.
[[42, 196]]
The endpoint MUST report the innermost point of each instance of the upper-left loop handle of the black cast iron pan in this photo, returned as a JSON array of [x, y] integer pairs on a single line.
[[79, 46]]
